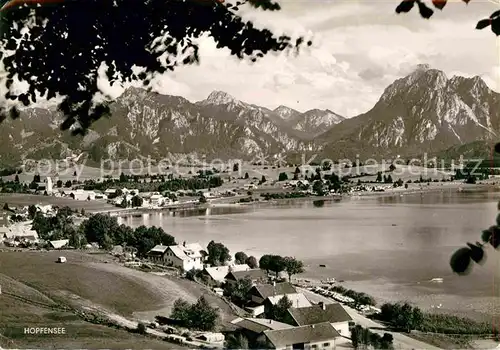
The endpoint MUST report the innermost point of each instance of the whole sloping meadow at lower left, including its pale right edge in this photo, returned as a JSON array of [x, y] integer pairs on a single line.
[[34, 287]]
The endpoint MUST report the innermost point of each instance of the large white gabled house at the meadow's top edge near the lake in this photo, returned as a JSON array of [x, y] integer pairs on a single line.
[[185, 256]]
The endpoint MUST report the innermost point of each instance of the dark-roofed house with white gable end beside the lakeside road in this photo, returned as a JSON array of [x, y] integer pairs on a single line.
[[335, 314]]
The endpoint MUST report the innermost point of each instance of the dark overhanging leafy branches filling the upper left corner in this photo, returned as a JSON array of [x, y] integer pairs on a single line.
[[69, 41]]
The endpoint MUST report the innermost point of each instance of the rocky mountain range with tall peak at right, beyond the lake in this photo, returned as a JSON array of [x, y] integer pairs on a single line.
[[422, 112]]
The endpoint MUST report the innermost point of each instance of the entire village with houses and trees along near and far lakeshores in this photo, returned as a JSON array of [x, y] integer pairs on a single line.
[[268, 309]]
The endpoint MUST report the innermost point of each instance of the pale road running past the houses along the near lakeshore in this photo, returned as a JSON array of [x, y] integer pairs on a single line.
[[400, 341]]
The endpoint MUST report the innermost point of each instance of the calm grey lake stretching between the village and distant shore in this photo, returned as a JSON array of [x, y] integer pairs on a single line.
[[388, 247]]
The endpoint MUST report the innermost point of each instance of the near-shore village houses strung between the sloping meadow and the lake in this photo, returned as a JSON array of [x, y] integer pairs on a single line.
[[273, 312]]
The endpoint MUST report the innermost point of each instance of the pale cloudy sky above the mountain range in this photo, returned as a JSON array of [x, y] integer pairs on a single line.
[[359, 48]]
